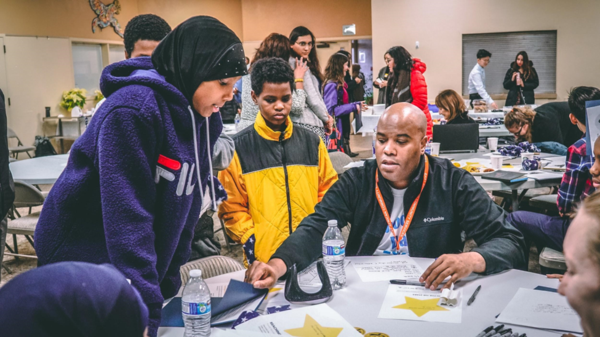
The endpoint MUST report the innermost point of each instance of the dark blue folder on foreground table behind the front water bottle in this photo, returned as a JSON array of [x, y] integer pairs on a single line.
[[237, 293]]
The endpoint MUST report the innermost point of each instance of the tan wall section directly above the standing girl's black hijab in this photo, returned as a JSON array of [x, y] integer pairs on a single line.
[[177, 11]]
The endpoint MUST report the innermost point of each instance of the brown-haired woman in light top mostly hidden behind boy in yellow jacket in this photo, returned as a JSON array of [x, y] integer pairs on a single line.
[[274, 45]]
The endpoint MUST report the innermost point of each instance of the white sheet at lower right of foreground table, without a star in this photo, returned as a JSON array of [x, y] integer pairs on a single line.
[[540, 309]]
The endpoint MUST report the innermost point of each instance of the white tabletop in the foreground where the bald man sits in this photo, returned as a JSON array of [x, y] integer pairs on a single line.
[[359, 304]]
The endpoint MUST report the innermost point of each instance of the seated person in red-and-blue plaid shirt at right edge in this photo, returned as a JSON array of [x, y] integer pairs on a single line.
[[576, 184]]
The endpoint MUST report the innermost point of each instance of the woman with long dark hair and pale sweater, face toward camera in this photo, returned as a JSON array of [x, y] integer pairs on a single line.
[[314, 116]]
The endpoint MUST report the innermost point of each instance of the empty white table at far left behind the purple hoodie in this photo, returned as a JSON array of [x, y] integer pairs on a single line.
[[40, 170]]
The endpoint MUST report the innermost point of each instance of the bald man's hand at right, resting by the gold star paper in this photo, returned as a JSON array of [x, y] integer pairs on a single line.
[[457, 266]]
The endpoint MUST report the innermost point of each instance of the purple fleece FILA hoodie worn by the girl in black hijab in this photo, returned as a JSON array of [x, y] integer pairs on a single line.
[[129, 195]]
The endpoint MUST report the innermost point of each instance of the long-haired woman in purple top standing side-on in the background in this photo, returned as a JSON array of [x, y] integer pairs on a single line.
[[336, 99]]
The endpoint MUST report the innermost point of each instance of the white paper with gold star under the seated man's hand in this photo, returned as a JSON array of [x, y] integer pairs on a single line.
[[416, 303]]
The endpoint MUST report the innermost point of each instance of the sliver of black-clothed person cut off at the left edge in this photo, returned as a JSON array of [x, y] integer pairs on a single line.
[[7, 187]]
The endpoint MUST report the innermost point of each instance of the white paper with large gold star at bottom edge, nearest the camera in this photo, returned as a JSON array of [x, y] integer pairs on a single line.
[[318, 320]]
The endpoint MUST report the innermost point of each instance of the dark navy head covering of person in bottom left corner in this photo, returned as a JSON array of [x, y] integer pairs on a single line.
[[71, 299]]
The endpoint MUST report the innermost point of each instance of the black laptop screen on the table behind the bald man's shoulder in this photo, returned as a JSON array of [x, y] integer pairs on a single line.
[[457, 137]]
